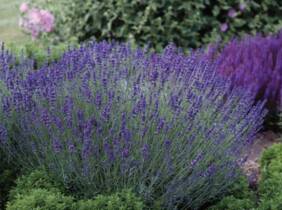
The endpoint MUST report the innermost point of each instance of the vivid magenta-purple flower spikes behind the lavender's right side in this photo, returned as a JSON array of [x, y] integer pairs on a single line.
[[255, 63]]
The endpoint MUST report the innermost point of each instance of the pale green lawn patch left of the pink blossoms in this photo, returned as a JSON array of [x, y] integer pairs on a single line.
[[9, 18]]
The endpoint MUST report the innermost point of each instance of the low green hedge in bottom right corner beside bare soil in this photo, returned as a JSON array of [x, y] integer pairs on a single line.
[[269, 195]]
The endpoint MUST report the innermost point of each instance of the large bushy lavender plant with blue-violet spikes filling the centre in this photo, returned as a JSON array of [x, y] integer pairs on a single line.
[[107, 117]]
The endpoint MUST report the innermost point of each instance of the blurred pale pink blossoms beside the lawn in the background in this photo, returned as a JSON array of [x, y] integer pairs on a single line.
[[36, 21]]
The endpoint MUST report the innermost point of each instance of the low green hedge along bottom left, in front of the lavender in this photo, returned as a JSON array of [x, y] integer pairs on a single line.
[[38, 191]]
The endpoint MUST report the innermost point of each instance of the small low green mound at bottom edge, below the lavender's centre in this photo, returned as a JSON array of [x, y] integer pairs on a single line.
[[119, 201]]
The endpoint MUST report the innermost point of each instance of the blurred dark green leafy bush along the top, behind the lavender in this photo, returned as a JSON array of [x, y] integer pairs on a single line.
[[186, 23]]
